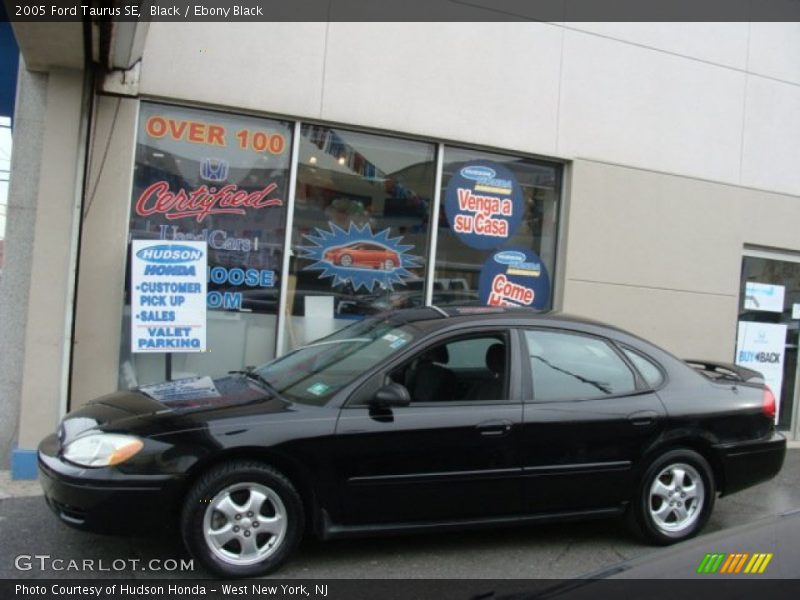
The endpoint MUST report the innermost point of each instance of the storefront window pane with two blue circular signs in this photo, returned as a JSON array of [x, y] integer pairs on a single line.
[[497, 230]]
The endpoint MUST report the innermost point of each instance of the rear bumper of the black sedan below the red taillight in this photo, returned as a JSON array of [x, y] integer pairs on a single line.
[[746, 464]]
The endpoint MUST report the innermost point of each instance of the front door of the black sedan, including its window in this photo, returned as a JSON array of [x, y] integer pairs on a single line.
[[451, 454]]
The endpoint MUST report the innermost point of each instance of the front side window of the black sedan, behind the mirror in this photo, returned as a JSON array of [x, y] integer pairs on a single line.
[[465, 369]]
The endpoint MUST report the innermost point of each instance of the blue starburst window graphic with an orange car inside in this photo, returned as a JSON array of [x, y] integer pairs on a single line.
[[383, 260]]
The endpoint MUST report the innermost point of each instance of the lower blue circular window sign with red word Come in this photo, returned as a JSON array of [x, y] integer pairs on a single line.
[[514, 277]]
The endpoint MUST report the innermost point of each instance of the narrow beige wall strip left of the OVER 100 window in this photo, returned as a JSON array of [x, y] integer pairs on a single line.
[[98, 319]]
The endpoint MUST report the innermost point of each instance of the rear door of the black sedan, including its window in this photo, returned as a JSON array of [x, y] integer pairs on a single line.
[[588, 417]]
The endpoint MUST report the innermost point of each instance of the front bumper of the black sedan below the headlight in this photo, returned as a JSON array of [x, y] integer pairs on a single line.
[[105, 500]]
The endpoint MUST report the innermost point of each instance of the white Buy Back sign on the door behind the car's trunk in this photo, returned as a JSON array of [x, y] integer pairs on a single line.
[[761, 346]]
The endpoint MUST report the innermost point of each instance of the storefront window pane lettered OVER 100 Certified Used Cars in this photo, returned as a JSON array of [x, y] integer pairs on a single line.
[[220, 178]]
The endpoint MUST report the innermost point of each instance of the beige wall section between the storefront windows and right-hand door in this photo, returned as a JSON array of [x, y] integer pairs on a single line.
[[660, 255]]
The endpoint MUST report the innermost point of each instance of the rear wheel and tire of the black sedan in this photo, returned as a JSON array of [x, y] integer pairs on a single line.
[[674, 498]]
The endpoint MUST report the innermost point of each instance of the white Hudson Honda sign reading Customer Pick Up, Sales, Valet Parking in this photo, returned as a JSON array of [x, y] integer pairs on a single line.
[[168, 296]]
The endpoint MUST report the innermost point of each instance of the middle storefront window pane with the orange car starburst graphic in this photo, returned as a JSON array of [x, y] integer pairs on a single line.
[[360, 229]]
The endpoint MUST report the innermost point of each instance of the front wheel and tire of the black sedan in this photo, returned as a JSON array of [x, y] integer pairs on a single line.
[[242, 519]]
